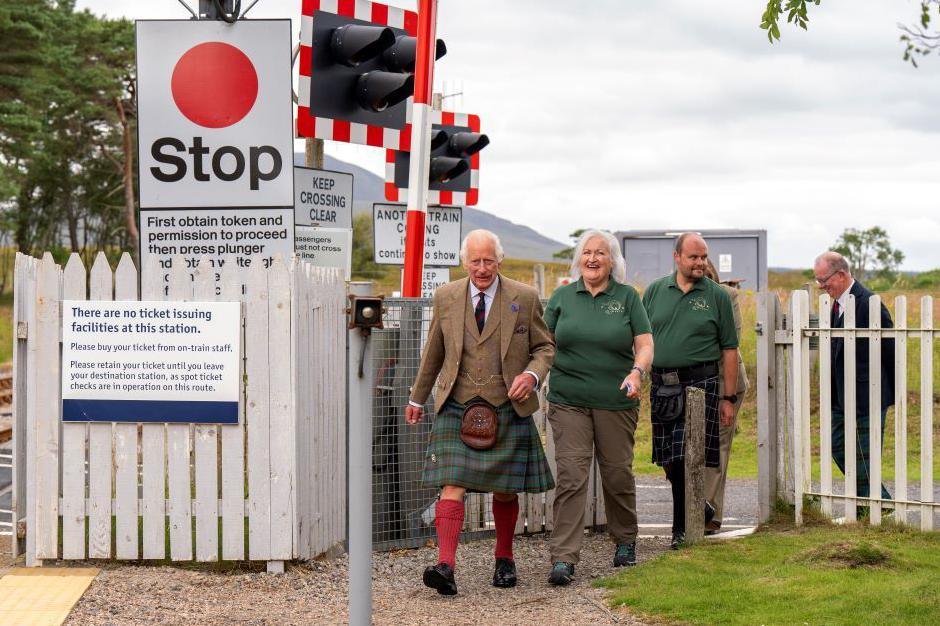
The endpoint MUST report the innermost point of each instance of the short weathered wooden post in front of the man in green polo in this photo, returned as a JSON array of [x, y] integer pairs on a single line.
[[694, 465]]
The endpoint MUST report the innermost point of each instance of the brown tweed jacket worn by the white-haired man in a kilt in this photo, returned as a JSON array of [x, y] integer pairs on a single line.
[[524, 340]]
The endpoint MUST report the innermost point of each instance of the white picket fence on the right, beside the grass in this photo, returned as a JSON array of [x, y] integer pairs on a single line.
[[787, 379]]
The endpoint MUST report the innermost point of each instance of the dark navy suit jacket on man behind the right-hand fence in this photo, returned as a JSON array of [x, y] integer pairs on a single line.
[[862, 365]]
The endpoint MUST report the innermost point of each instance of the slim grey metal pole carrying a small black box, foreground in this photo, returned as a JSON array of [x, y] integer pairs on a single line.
[[359, 457]]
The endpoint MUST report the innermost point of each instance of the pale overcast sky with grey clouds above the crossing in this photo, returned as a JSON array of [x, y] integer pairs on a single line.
[[677, 114]]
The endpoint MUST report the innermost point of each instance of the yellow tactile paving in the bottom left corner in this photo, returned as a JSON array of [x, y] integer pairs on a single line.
[[41, 596]]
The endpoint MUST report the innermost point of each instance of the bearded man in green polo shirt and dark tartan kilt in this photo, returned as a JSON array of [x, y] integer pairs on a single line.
[[693, 327]]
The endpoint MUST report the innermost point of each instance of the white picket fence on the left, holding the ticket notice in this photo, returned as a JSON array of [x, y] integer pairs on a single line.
[[269, 488]]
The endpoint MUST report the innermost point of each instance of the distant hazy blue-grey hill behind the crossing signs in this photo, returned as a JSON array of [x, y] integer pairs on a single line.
[[520, 242]]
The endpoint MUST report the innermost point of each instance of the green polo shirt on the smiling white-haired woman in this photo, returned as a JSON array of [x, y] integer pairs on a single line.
[[594, 344]]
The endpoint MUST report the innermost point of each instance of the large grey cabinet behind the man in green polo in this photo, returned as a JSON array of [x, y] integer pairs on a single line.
[[739, 255]]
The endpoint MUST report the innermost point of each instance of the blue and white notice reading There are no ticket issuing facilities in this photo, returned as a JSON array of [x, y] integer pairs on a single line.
[[150, 361]]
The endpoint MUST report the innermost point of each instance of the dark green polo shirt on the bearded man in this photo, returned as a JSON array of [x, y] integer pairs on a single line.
[[689, 328]]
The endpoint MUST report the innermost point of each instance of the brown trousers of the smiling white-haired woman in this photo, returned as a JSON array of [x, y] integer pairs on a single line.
[[578, 433]]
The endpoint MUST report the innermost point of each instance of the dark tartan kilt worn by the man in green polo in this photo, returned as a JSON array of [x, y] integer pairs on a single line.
[[669, 436]]
